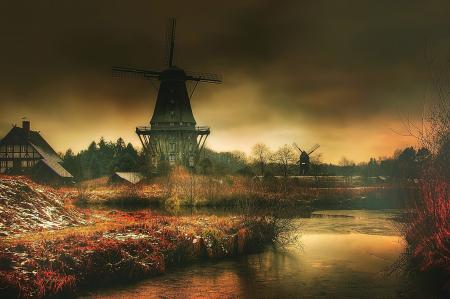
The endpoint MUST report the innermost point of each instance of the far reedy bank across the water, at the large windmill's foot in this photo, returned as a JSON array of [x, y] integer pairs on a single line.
[[182, 189]]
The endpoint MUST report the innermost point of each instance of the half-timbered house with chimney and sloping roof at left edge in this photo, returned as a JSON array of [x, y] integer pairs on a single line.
[[23, 151]]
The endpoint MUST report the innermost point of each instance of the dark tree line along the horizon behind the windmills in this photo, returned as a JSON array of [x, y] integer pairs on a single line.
[[103, 158]]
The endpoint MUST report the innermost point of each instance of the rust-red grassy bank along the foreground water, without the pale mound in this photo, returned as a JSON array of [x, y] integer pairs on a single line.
[[66, 266]]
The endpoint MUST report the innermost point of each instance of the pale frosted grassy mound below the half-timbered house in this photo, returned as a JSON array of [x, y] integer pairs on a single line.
[[26, 206]]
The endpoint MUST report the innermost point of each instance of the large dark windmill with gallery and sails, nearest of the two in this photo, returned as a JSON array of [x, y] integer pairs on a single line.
[[173, 136]]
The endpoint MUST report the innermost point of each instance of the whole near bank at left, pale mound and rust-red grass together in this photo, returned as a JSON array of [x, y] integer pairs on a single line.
[[49, 248]]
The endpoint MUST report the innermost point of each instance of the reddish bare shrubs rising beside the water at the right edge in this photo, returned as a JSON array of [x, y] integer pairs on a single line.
[[426, 229]]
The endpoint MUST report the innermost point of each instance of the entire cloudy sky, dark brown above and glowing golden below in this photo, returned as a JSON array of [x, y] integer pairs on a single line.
[[339, 73]]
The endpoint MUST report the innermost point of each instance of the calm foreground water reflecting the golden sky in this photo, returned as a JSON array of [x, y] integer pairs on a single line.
[[338, 254]]
